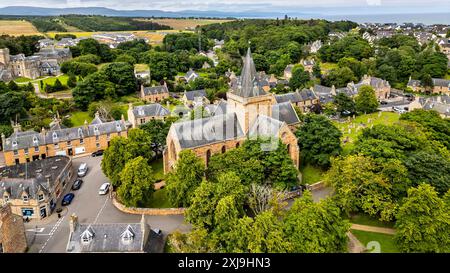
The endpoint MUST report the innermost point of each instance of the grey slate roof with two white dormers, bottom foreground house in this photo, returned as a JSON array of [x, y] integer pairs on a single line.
[[108, 238]]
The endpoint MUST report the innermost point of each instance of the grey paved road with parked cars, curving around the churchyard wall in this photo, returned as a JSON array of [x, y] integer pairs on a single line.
[[52, 234]]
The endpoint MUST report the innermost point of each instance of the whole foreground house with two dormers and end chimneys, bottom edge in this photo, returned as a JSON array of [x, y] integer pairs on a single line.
[[112, 238]]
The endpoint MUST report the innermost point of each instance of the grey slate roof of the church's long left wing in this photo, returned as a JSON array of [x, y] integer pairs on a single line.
[[199, 132]]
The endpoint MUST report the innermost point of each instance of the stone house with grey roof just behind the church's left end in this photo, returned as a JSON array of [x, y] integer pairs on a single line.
[[144, 113]]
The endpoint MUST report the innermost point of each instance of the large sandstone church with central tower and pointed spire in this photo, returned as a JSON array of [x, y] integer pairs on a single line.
[[250, 112]]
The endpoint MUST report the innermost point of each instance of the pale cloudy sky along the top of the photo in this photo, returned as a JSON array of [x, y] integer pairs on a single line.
[[306, 6]]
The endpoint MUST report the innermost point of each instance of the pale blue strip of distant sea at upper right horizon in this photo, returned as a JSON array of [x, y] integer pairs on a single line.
[[425, 18]]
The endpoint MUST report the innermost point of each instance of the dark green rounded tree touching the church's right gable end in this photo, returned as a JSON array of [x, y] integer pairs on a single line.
[[319, 140]]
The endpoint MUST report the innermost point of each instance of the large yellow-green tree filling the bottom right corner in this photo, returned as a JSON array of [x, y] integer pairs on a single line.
[[423, 222]]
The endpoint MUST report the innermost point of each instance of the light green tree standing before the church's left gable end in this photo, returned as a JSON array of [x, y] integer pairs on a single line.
[[185, 178]]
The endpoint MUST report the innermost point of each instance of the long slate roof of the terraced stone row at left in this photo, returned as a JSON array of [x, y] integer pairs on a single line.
[[21, 140]]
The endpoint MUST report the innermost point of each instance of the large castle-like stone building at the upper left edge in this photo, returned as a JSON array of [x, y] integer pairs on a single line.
[[46, 62]]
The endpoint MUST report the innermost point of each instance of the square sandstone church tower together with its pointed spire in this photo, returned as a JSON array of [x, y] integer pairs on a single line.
[[247, 98]]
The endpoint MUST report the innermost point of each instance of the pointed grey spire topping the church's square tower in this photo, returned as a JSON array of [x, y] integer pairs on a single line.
[[248, 85]]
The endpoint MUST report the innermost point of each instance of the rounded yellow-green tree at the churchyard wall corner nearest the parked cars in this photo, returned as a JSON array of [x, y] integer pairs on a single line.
[[137, 182]]
